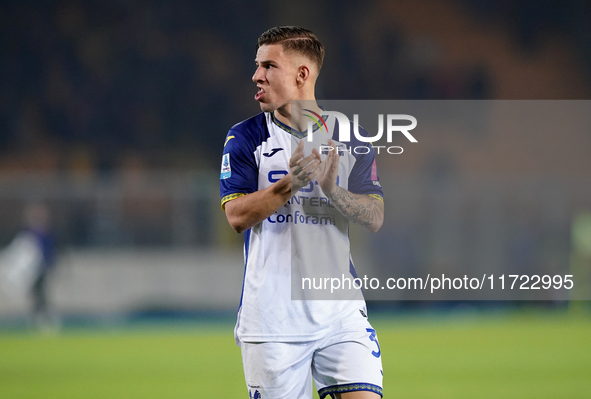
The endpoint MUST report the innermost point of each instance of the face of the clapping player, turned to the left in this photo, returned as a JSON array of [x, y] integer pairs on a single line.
[[275, 77]]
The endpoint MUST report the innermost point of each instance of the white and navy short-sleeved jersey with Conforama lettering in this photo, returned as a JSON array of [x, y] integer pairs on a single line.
[[256, 154]]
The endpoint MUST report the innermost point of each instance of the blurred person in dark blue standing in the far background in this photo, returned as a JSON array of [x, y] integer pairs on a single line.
[[28, 261]]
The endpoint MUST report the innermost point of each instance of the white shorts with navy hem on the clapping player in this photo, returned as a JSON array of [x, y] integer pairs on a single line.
[[345, 361]]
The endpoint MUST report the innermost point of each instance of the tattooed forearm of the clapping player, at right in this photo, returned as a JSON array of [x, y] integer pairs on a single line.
[[358, 208]]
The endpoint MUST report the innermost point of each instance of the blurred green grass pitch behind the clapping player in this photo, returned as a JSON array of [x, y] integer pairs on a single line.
[[495, 356]]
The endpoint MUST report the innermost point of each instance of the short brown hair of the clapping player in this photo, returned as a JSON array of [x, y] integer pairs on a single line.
[[294, 38]]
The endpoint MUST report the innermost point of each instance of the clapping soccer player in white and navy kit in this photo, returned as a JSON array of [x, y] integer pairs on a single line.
[[286, 343]]
